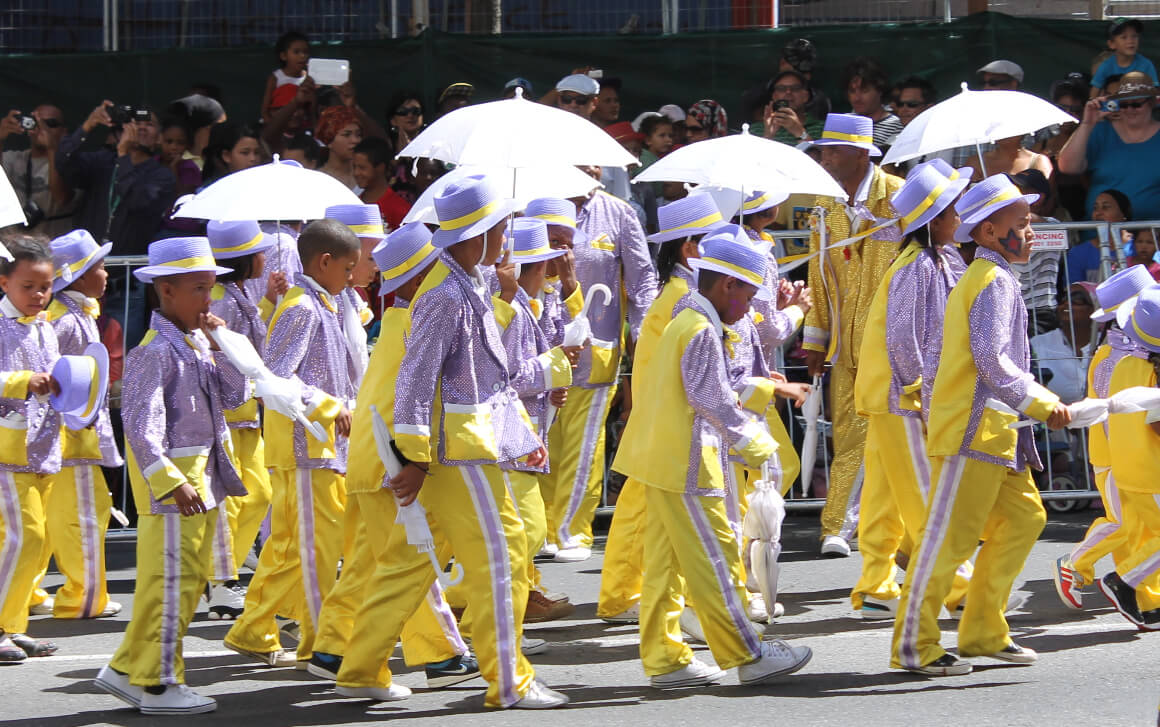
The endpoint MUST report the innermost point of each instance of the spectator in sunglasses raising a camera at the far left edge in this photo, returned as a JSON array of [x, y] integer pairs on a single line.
[[47, 199]]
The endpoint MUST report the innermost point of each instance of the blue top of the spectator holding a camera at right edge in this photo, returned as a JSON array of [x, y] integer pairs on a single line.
[[1132, 169]]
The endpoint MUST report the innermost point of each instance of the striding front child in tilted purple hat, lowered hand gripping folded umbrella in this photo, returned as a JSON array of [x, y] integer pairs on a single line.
[[451, 448]]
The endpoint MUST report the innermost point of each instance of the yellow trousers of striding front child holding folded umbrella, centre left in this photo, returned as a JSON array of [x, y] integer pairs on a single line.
[[472, 513]]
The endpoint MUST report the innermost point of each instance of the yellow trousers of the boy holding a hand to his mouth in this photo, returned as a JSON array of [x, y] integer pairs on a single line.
[[172, 558]]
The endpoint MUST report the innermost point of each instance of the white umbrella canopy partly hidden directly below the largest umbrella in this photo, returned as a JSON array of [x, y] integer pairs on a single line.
[[561, 181]]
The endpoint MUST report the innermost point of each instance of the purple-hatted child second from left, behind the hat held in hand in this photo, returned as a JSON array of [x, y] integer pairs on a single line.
[[81, 504]]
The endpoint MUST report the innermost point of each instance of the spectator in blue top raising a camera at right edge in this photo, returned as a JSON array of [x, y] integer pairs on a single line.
[[1123, 154]]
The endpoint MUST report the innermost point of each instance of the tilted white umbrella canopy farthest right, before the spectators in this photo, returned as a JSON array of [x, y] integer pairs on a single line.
[[975, 118]]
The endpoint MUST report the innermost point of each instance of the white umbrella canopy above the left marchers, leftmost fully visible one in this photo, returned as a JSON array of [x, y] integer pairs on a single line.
[[279, 191]]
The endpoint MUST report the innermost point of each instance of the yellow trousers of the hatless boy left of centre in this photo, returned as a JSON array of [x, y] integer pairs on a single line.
[[299, 565]]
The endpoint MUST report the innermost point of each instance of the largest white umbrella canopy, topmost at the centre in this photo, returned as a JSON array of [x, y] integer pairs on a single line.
[[517, 134]]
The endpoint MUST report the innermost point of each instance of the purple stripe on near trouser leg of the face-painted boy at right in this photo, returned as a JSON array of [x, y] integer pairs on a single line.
[[933, 537]]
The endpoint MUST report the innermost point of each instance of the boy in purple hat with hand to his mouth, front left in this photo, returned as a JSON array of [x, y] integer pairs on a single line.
[[175, 398]]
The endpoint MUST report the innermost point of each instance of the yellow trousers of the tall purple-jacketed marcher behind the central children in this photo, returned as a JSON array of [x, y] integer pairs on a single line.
[[577, 444]]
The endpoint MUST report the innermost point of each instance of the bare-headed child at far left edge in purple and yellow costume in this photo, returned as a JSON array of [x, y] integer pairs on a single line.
[[31, 453]]
